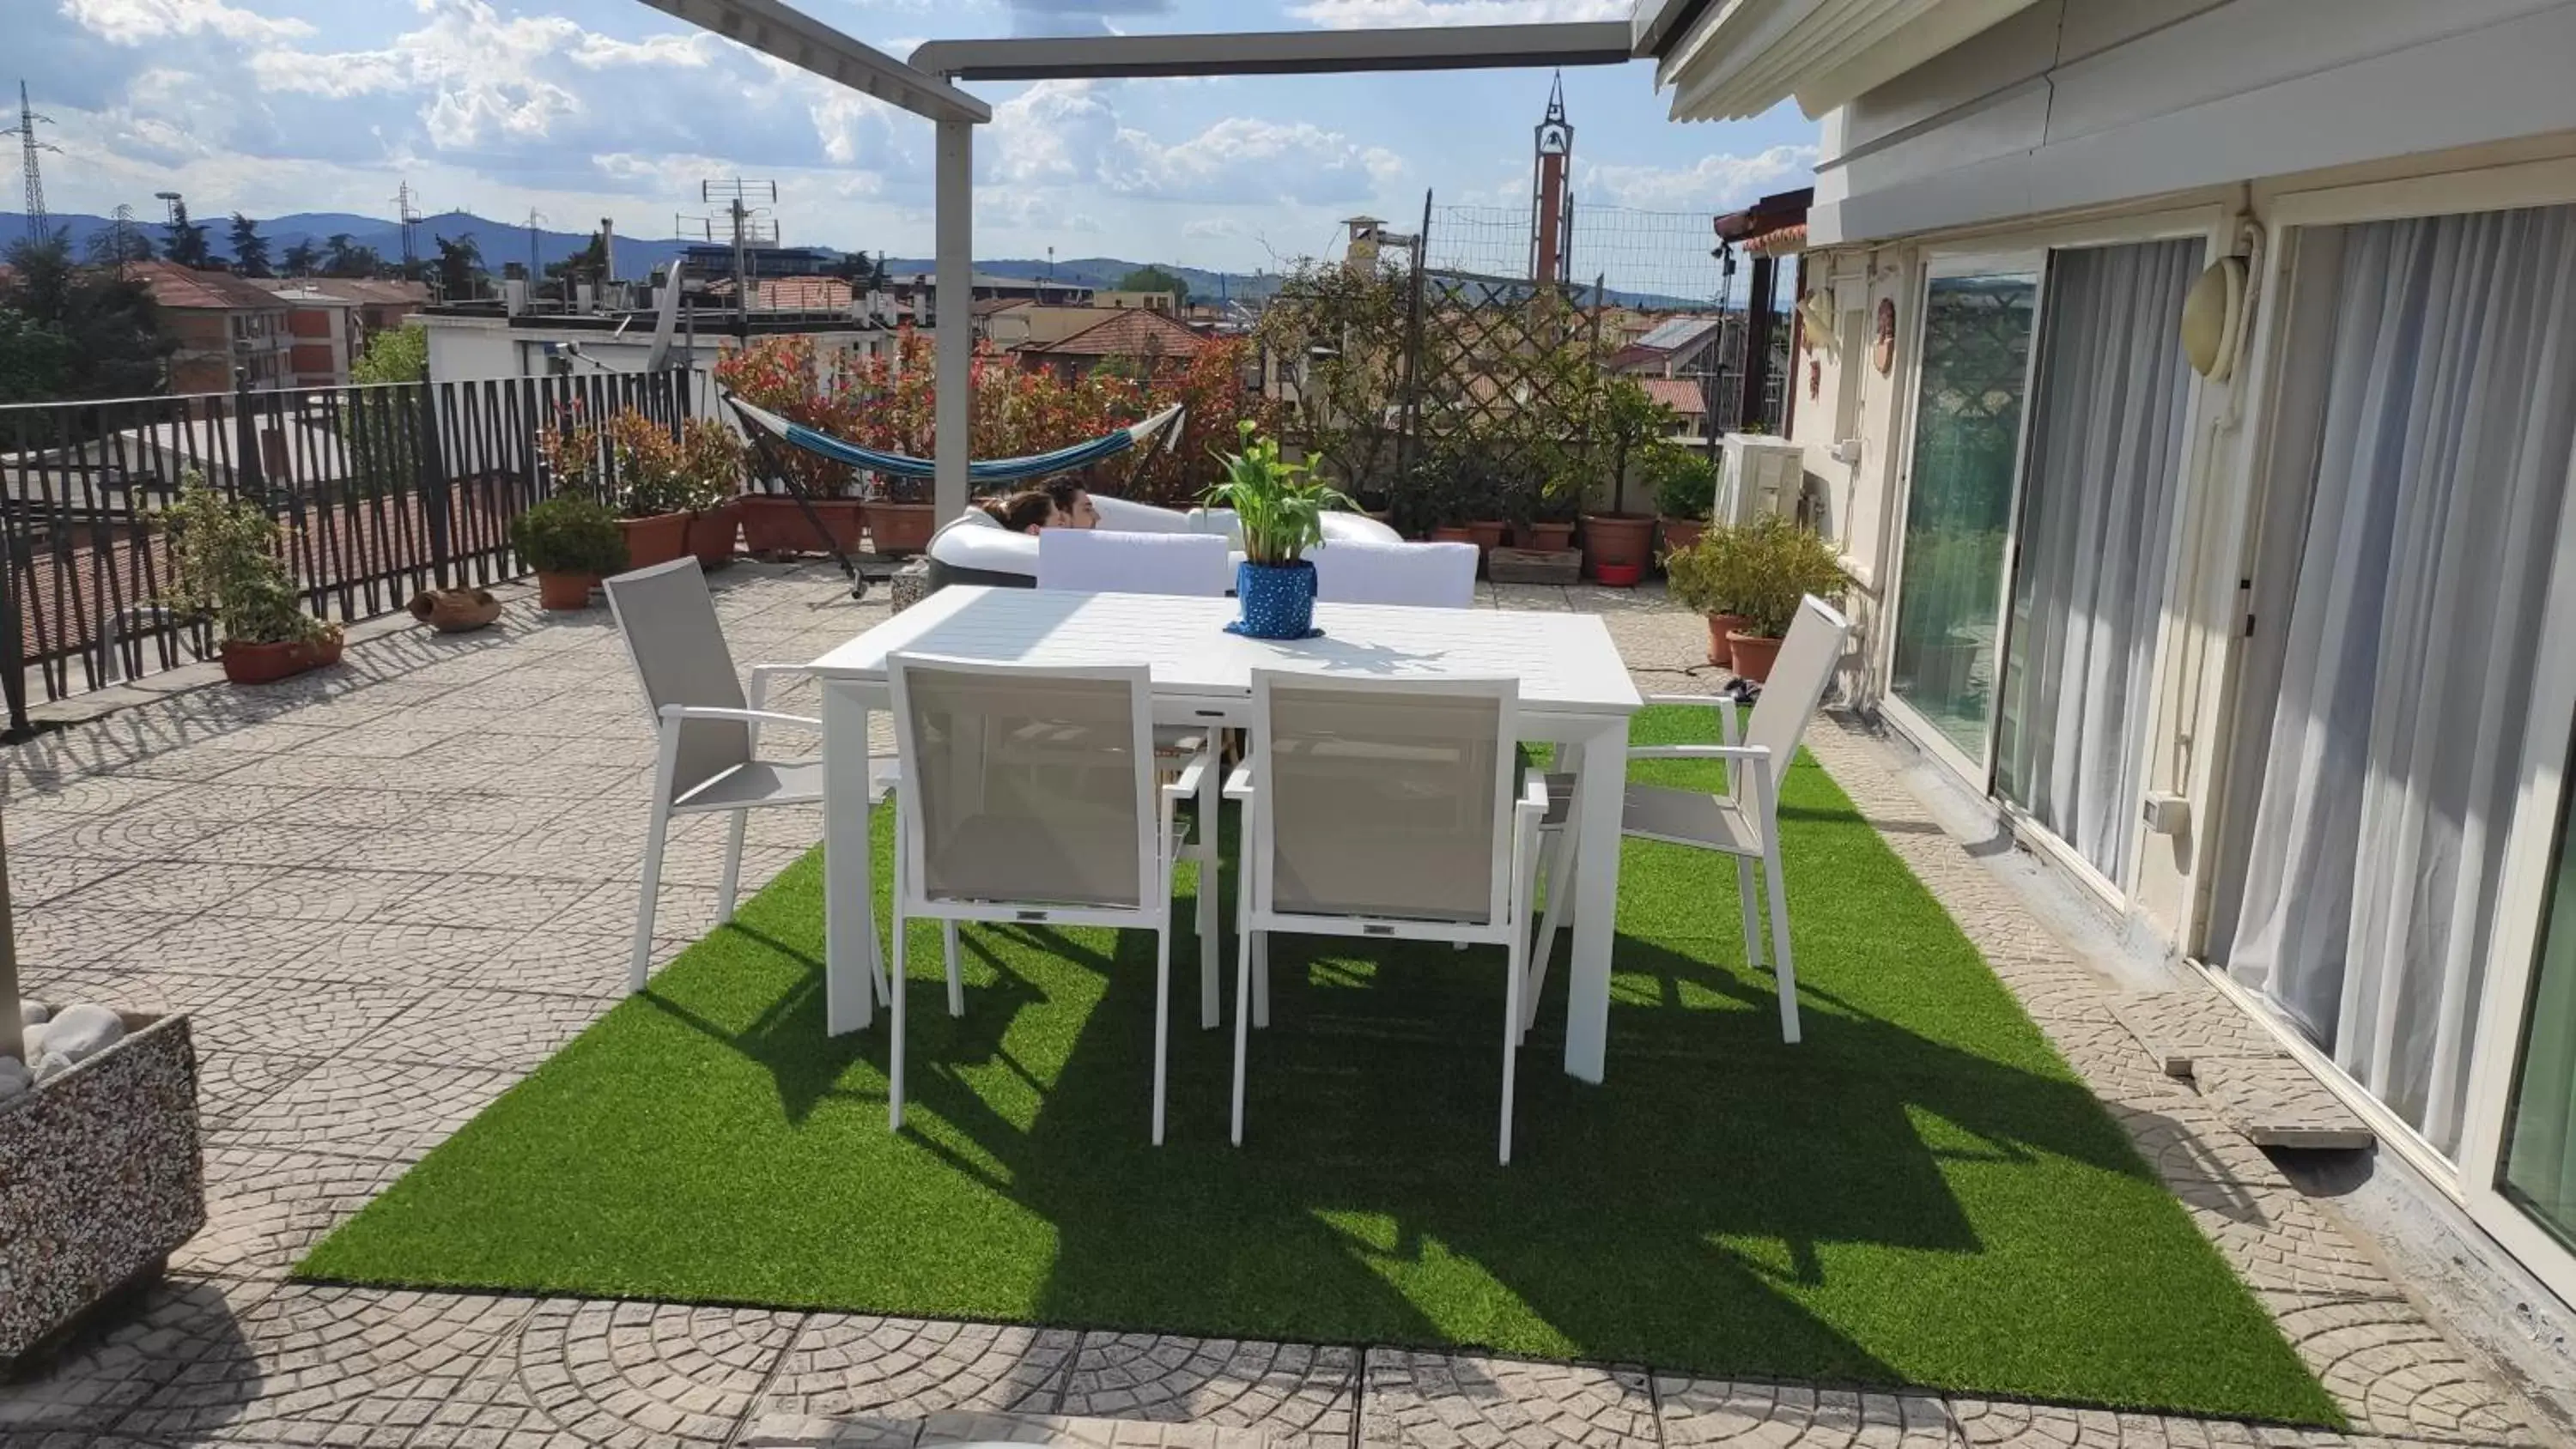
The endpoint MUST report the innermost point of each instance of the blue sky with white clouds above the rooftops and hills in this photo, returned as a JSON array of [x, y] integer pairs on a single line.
[[589, 109]]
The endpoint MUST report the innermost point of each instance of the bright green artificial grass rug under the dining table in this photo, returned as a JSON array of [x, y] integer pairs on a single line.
[[1915, 1195]]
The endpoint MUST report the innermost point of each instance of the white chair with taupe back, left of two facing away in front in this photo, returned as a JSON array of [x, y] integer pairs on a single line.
[[1032, 797]]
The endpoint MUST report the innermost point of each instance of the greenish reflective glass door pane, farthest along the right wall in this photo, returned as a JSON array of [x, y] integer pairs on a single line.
[[1959, 501]]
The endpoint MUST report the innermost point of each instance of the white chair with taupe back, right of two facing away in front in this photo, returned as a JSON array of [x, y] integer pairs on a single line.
[[1385, 809]]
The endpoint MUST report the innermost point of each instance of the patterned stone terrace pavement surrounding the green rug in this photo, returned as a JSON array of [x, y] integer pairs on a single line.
[[390, 889]]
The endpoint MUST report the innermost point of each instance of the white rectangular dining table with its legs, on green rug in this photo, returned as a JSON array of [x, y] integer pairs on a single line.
[[1575, 694]]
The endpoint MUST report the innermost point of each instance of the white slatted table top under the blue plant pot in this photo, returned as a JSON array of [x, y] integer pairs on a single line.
[[1565, 660]]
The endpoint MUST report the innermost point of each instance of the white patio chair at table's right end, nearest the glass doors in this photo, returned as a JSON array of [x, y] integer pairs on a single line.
[[1743, 822]]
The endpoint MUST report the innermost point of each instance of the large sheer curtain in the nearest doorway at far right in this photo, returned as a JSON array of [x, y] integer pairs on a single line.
[[2443, 439]]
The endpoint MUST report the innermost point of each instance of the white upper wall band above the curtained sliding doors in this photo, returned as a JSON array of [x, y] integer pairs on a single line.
[[2080, 104]]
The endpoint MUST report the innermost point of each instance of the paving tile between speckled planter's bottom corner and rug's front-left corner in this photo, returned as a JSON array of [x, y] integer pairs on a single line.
[[267, 1208]]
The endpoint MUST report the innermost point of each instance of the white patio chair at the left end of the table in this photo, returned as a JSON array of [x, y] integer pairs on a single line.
[[707, 730]]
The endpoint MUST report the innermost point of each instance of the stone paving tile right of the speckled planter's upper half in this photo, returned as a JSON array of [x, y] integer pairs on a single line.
[[367, 1111]]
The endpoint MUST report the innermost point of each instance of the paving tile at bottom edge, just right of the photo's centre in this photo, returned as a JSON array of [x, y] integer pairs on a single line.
[[1439, 1401]]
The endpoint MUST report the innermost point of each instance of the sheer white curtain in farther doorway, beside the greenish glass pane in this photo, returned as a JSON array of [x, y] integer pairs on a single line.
[[2096, 534]]
